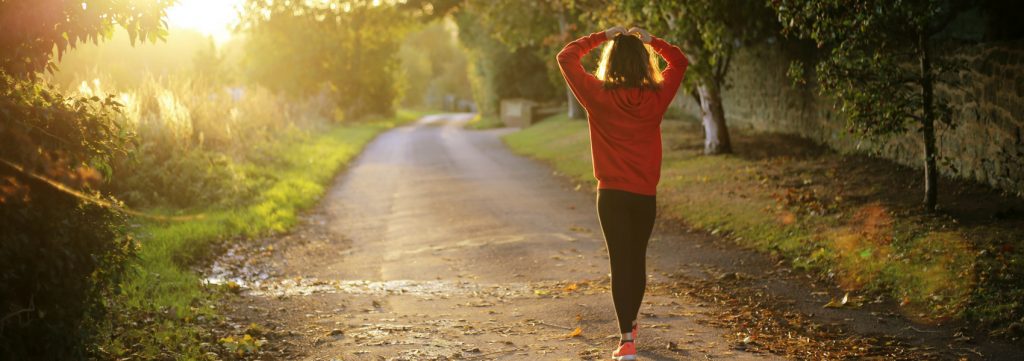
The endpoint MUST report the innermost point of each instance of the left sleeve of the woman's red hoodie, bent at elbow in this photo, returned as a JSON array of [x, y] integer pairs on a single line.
[[584, 85]]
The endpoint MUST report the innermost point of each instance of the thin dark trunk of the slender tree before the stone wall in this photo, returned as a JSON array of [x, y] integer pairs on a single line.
[[928, 127]]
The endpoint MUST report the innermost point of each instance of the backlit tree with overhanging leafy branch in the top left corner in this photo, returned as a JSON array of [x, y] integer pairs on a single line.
[[44, 131]]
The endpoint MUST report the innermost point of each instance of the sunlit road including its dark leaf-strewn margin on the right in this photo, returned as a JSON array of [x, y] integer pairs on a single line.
[[439, 244]]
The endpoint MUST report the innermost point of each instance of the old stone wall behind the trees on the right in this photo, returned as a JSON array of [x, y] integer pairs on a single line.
[[988, 145]]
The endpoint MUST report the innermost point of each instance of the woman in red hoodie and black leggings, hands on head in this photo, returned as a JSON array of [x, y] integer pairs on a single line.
[[625, 104]]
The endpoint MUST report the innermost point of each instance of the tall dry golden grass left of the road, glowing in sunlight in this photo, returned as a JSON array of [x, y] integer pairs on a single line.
[[194, 139]]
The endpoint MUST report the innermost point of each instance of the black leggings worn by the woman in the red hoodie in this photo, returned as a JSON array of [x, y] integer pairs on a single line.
[[627, 220]]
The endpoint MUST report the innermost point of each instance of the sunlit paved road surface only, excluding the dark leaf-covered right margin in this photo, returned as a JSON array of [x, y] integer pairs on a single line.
[[440, 244]]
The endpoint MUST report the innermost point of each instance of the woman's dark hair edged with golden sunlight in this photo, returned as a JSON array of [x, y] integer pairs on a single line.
[[628, 63]]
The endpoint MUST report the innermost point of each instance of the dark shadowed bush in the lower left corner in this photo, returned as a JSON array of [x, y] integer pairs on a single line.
[[63, 259]]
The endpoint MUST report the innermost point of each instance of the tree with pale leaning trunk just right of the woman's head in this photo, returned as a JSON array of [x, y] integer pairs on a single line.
[[710, 32]]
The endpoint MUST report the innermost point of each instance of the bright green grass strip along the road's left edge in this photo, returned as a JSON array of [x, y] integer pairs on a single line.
[[165, 311]]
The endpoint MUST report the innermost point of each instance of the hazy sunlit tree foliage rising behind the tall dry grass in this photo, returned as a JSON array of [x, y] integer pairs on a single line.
[[349, 52]]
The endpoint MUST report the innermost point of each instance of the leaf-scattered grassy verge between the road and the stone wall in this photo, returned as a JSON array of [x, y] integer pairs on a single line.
[[854, 219]]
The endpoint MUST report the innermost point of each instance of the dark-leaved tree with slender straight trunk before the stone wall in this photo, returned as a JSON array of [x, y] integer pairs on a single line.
[[879, 65]]
